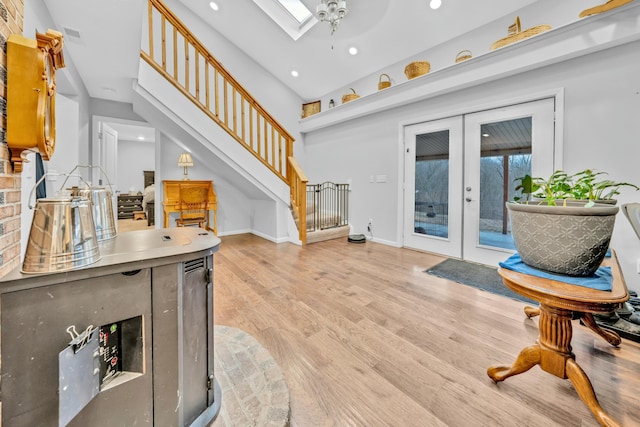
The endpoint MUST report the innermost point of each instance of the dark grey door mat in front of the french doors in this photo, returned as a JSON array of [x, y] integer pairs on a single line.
[[477, 275]]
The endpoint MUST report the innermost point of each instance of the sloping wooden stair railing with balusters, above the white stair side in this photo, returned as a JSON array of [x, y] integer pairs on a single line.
[[205, 81]]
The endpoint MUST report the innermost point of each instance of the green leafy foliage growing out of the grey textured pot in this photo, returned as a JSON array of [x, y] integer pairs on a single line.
[[584, 185]]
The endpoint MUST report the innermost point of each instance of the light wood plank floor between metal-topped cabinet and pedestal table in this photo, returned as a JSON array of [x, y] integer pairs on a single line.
[[365, 338]]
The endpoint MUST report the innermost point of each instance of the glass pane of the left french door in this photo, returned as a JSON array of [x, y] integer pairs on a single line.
[[431, 213]]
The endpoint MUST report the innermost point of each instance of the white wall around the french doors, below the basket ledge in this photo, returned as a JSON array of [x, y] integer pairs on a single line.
[[601, 128]]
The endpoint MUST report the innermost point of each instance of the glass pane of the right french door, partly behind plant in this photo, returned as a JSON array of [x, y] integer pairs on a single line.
[[505, 154]]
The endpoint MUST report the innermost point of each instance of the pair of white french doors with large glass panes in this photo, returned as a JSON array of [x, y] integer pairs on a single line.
[[460, 171]]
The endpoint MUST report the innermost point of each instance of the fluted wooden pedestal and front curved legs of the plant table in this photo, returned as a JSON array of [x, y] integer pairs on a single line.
[[553, 353]]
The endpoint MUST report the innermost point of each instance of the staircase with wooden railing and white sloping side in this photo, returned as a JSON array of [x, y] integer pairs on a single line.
[[218, 116]]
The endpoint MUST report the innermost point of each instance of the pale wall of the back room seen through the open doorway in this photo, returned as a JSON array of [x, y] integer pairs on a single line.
[[134, 157]]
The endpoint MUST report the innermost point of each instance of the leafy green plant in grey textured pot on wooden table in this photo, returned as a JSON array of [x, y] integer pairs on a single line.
[[560, 224]]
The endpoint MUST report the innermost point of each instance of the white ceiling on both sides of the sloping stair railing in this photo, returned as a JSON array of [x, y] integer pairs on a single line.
[[384, 32]]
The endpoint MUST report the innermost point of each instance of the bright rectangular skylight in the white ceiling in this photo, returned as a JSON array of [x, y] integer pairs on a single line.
[[290, 15]]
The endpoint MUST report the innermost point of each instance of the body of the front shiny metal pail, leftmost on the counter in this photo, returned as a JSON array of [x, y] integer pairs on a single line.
[[62, 236]]
